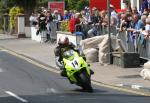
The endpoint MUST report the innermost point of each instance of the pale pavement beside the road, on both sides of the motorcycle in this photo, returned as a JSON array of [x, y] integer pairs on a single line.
[[108, 75]]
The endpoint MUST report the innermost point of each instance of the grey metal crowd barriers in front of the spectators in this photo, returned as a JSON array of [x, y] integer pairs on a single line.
[[139, 46]]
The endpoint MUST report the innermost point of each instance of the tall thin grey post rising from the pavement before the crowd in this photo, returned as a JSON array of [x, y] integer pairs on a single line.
[[109, 35]]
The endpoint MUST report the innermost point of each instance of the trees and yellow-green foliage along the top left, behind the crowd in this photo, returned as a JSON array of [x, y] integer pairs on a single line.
[[7, 6]]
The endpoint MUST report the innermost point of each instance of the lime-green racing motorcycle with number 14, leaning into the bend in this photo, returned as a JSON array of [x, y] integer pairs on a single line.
[[77, 69]]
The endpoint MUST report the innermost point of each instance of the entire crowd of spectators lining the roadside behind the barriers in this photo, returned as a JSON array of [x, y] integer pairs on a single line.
[[130, 19]]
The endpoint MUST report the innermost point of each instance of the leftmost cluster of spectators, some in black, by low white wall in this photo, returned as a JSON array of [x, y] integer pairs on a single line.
[[42, 20]]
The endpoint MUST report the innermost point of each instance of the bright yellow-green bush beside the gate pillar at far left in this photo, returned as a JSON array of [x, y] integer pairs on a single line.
[[14, 11]]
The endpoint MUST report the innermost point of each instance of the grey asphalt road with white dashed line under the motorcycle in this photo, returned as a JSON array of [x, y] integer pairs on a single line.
[[23, 82]]
